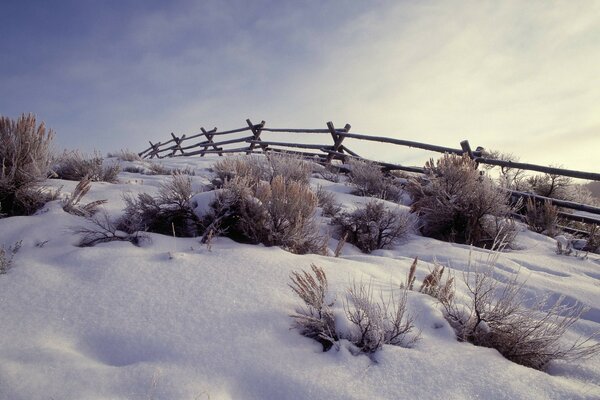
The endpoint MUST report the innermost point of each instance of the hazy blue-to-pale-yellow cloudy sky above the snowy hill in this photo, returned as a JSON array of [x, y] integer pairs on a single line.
[[517, 76]]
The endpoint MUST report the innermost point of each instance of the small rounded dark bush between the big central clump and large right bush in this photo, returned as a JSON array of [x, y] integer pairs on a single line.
[[373, 226]]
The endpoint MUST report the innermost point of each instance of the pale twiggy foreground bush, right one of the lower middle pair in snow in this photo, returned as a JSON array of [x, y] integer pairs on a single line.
[[378, 323]]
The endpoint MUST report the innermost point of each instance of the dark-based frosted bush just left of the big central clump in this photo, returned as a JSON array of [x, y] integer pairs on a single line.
[[170, 210]]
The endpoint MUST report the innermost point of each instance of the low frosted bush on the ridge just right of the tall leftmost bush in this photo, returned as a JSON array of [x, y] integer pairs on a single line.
[[74, 166]]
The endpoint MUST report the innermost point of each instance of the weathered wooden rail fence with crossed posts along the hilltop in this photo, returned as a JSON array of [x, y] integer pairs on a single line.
[[248, 140]]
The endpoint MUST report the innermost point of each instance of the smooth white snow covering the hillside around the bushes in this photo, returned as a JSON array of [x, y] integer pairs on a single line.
[[174, 320]]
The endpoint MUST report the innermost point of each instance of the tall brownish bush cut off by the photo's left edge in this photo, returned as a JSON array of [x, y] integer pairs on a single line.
[[25, 161]]
